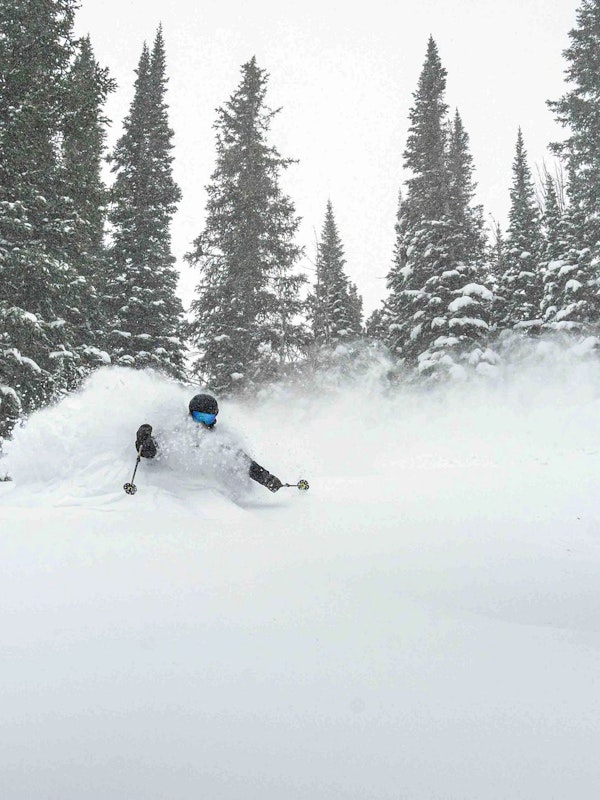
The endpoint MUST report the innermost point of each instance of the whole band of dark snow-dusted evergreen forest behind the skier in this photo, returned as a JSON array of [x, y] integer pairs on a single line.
[[88, 277]]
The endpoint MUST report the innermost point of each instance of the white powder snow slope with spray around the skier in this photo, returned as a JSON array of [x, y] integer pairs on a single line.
[[423, 623]]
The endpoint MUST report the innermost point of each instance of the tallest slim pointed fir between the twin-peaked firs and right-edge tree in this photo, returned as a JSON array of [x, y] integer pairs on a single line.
[[520, 285]]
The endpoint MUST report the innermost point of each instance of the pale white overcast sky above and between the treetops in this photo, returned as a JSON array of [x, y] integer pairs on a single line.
[[344, 79]]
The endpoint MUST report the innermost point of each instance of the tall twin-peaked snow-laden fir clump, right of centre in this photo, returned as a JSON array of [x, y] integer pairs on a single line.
[[438, 307]]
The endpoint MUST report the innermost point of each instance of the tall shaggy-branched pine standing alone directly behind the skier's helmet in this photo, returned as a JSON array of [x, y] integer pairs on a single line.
[[246, 312]]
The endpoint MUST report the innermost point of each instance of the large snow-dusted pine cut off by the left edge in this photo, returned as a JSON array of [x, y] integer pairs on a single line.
[[41, 292]]
